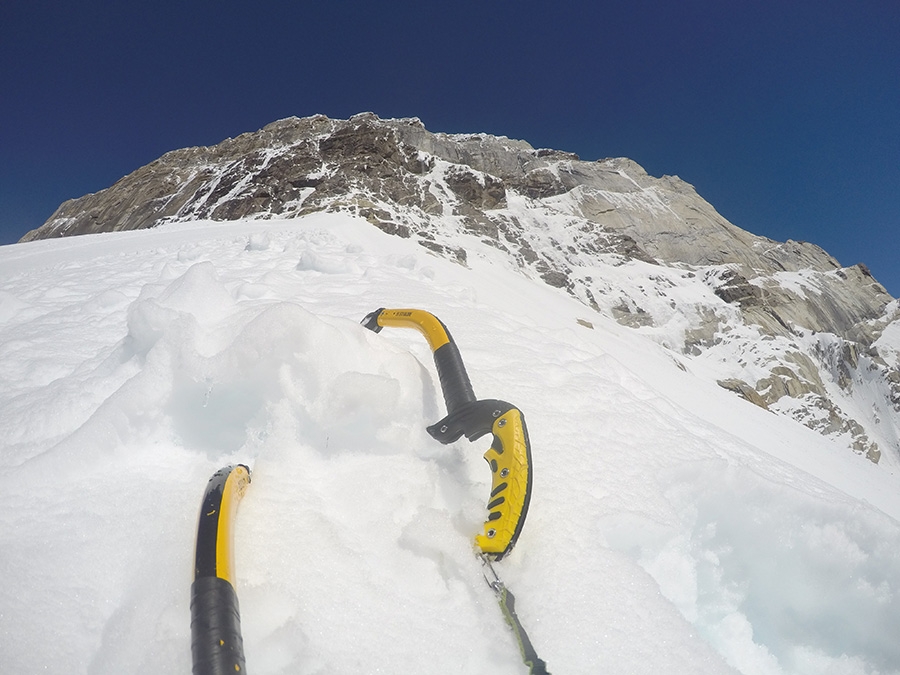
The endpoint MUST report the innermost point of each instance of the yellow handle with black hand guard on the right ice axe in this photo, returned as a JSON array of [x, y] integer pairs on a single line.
[[509, 458]]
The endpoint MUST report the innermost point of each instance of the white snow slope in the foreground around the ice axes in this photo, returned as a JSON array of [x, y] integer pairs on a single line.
[[673, 527]]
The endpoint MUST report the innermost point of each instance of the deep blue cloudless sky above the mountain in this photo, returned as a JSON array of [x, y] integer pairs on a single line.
[[784, 114]]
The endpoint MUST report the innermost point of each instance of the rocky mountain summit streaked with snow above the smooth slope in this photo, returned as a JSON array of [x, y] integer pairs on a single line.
[[782, 324]]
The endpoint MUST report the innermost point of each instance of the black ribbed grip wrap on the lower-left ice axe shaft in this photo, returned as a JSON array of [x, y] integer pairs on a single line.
[[216, 642]]
